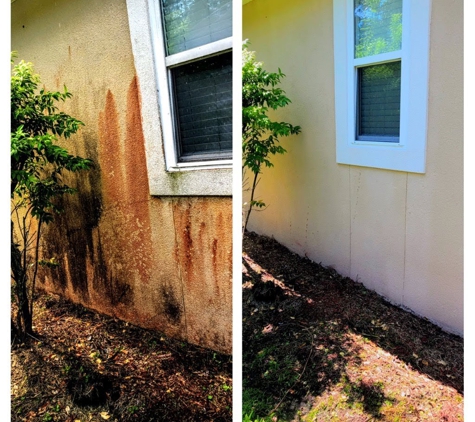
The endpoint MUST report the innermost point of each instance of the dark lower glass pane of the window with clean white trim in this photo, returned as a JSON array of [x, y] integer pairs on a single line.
[[379, 98]]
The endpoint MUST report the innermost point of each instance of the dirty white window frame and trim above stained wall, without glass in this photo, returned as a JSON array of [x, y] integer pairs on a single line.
[[167, 176]]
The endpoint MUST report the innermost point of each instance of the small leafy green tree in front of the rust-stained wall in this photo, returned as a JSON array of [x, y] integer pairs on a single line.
[[37, 166]]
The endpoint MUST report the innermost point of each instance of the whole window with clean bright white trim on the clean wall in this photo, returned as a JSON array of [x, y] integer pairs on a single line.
[[381, 82]]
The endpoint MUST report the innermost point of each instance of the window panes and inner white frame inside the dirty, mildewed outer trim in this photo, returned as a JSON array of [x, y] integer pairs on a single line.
[[194, 66]]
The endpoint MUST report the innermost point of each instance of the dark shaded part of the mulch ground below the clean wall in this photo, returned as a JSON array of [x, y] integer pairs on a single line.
[[299, 324]]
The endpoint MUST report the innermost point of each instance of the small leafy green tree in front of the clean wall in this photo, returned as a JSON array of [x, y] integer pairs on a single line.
[[260, 135]]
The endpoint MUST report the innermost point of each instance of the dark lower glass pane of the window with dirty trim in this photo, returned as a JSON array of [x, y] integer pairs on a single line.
[[203, 104]]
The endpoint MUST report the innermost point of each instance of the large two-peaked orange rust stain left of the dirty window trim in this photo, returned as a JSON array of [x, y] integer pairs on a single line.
[[125, 181]]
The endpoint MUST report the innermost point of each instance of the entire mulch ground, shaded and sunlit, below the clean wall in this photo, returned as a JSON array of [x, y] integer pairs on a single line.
[[321, 347]]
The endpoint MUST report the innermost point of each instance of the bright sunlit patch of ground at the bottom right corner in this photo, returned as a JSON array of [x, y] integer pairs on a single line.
[[376, 384]]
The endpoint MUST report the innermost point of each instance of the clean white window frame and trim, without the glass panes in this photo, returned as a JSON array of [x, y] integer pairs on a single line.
[[409, 153]]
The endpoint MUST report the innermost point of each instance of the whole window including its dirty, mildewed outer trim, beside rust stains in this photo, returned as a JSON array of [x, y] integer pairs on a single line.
[[182, 54]]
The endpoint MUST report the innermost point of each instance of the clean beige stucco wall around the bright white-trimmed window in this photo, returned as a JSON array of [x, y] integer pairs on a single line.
[[398, 233]]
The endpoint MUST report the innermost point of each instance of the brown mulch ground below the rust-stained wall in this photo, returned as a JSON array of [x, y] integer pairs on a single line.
[[83, 366]]
